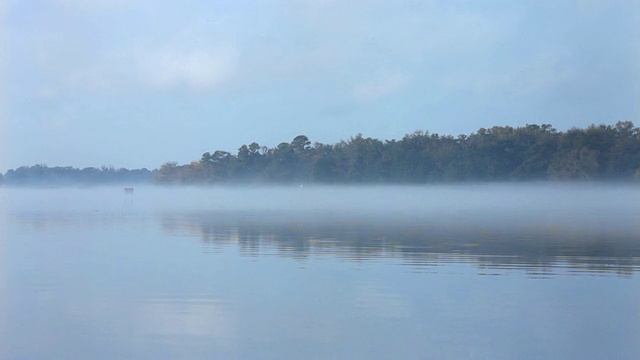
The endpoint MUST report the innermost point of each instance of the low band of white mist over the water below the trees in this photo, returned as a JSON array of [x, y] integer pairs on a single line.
[[555, 202]]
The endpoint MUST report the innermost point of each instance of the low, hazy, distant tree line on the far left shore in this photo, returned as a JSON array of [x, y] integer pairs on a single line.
[[43, 175]]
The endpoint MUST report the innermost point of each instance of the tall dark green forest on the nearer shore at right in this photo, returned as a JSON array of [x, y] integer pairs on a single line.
[[501, 153]]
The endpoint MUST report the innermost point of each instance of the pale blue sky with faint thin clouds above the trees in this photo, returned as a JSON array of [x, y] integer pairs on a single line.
[[138, 83]]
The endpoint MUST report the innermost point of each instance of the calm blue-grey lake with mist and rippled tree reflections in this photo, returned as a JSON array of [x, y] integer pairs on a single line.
[[487, 271]]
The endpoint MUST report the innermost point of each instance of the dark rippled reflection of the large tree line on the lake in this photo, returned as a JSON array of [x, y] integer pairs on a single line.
[[493, 247]]
